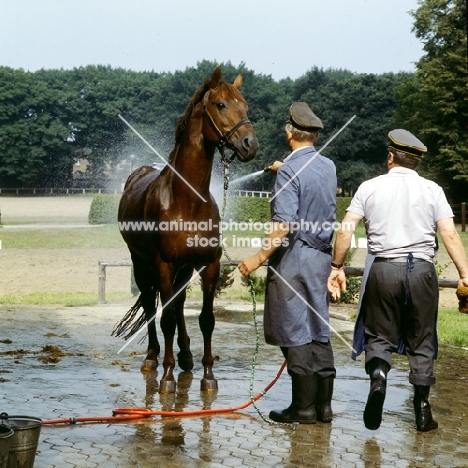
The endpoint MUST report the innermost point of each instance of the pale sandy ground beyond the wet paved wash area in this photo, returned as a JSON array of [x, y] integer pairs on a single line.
[[73, 270]]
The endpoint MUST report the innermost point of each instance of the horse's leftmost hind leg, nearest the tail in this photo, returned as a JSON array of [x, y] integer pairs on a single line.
[[144, 278]]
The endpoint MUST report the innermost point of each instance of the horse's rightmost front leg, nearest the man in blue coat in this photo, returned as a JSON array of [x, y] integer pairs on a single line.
[[210, 276]]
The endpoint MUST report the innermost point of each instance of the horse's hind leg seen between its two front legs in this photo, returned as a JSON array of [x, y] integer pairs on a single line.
[[184, 358]]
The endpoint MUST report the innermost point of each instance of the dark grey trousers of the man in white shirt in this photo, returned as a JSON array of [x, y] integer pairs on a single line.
[[403, 303]]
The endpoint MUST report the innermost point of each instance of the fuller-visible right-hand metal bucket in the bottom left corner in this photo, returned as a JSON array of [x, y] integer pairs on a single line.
[[25, 440]]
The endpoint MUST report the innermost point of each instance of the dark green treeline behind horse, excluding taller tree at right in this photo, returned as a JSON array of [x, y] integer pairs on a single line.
[[51, 118]]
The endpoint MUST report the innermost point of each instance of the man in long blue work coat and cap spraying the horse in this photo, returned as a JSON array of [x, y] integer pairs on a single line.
[[298, 250]]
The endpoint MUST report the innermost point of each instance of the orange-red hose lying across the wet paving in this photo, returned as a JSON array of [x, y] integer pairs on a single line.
[[126, 414]]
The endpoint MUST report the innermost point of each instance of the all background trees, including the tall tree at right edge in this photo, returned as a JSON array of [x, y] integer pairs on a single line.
[[50, 119]]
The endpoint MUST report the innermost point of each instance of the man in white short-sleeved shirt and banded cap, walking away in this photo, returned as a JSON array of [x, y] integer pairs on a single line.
[[399, 298]]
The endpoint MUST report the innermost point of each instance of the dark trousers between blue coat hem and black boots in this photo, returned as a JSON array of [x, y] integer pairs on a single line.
[[313, 358]]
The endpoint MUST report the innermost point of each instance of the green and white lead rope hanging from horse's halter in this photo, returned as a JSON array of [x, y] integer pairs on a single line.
[[226, 162]]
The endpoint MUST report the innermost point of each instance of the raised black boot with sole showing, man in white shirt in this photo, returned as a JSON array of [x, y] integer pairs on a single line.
[[378, 370]]
